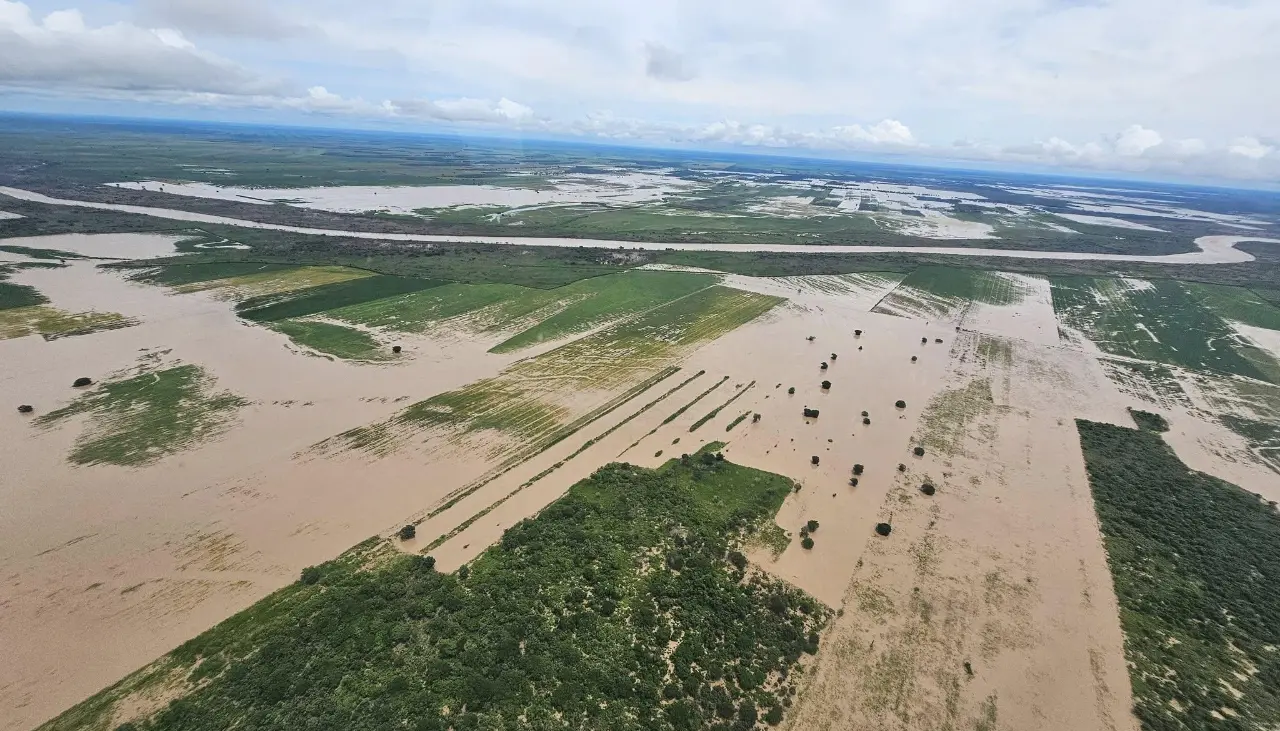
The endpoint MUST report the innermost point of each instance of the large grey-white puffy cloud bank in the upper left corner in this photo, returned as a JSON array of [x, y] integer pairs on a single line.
[[62, 52]]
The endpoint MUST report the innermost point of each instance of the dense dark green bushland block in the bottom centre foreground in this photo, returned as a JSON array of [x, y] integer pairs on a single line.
[[623, 606]]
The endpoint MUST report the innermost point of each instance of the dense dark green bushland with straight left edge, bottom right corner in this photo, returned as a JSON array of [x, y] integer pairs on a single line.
[[1196, 564]]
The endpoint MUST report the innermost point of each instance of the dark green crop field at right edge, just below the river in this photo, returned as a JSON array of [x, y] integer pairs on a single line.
[[1160, 322]]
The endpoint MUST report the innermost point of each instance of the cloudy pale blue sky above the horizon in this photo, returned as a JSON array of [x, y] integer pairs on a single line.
[[1180, 89]]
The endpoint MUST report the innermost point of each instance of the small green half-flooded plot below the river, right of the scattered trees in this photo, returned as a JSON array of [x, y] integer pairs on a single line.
[[944, 293]]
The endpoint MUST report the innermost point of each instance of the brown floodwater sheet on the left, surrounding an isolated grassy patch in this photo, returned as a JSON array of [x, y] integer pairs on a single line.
[[115, 566]]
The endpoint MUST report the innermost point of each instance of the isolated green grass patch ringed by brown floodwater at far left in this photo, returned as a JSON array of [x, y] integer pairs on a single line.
[[140, 421]]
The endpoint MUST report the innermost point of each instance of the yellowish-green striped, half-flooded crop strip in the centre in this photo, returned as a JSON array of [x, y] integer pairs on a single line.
[[527, 404]]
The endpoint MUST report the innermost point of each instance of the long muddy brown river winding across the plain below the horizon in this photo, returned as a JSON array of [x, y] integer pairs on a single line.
[[1213, 249]]
